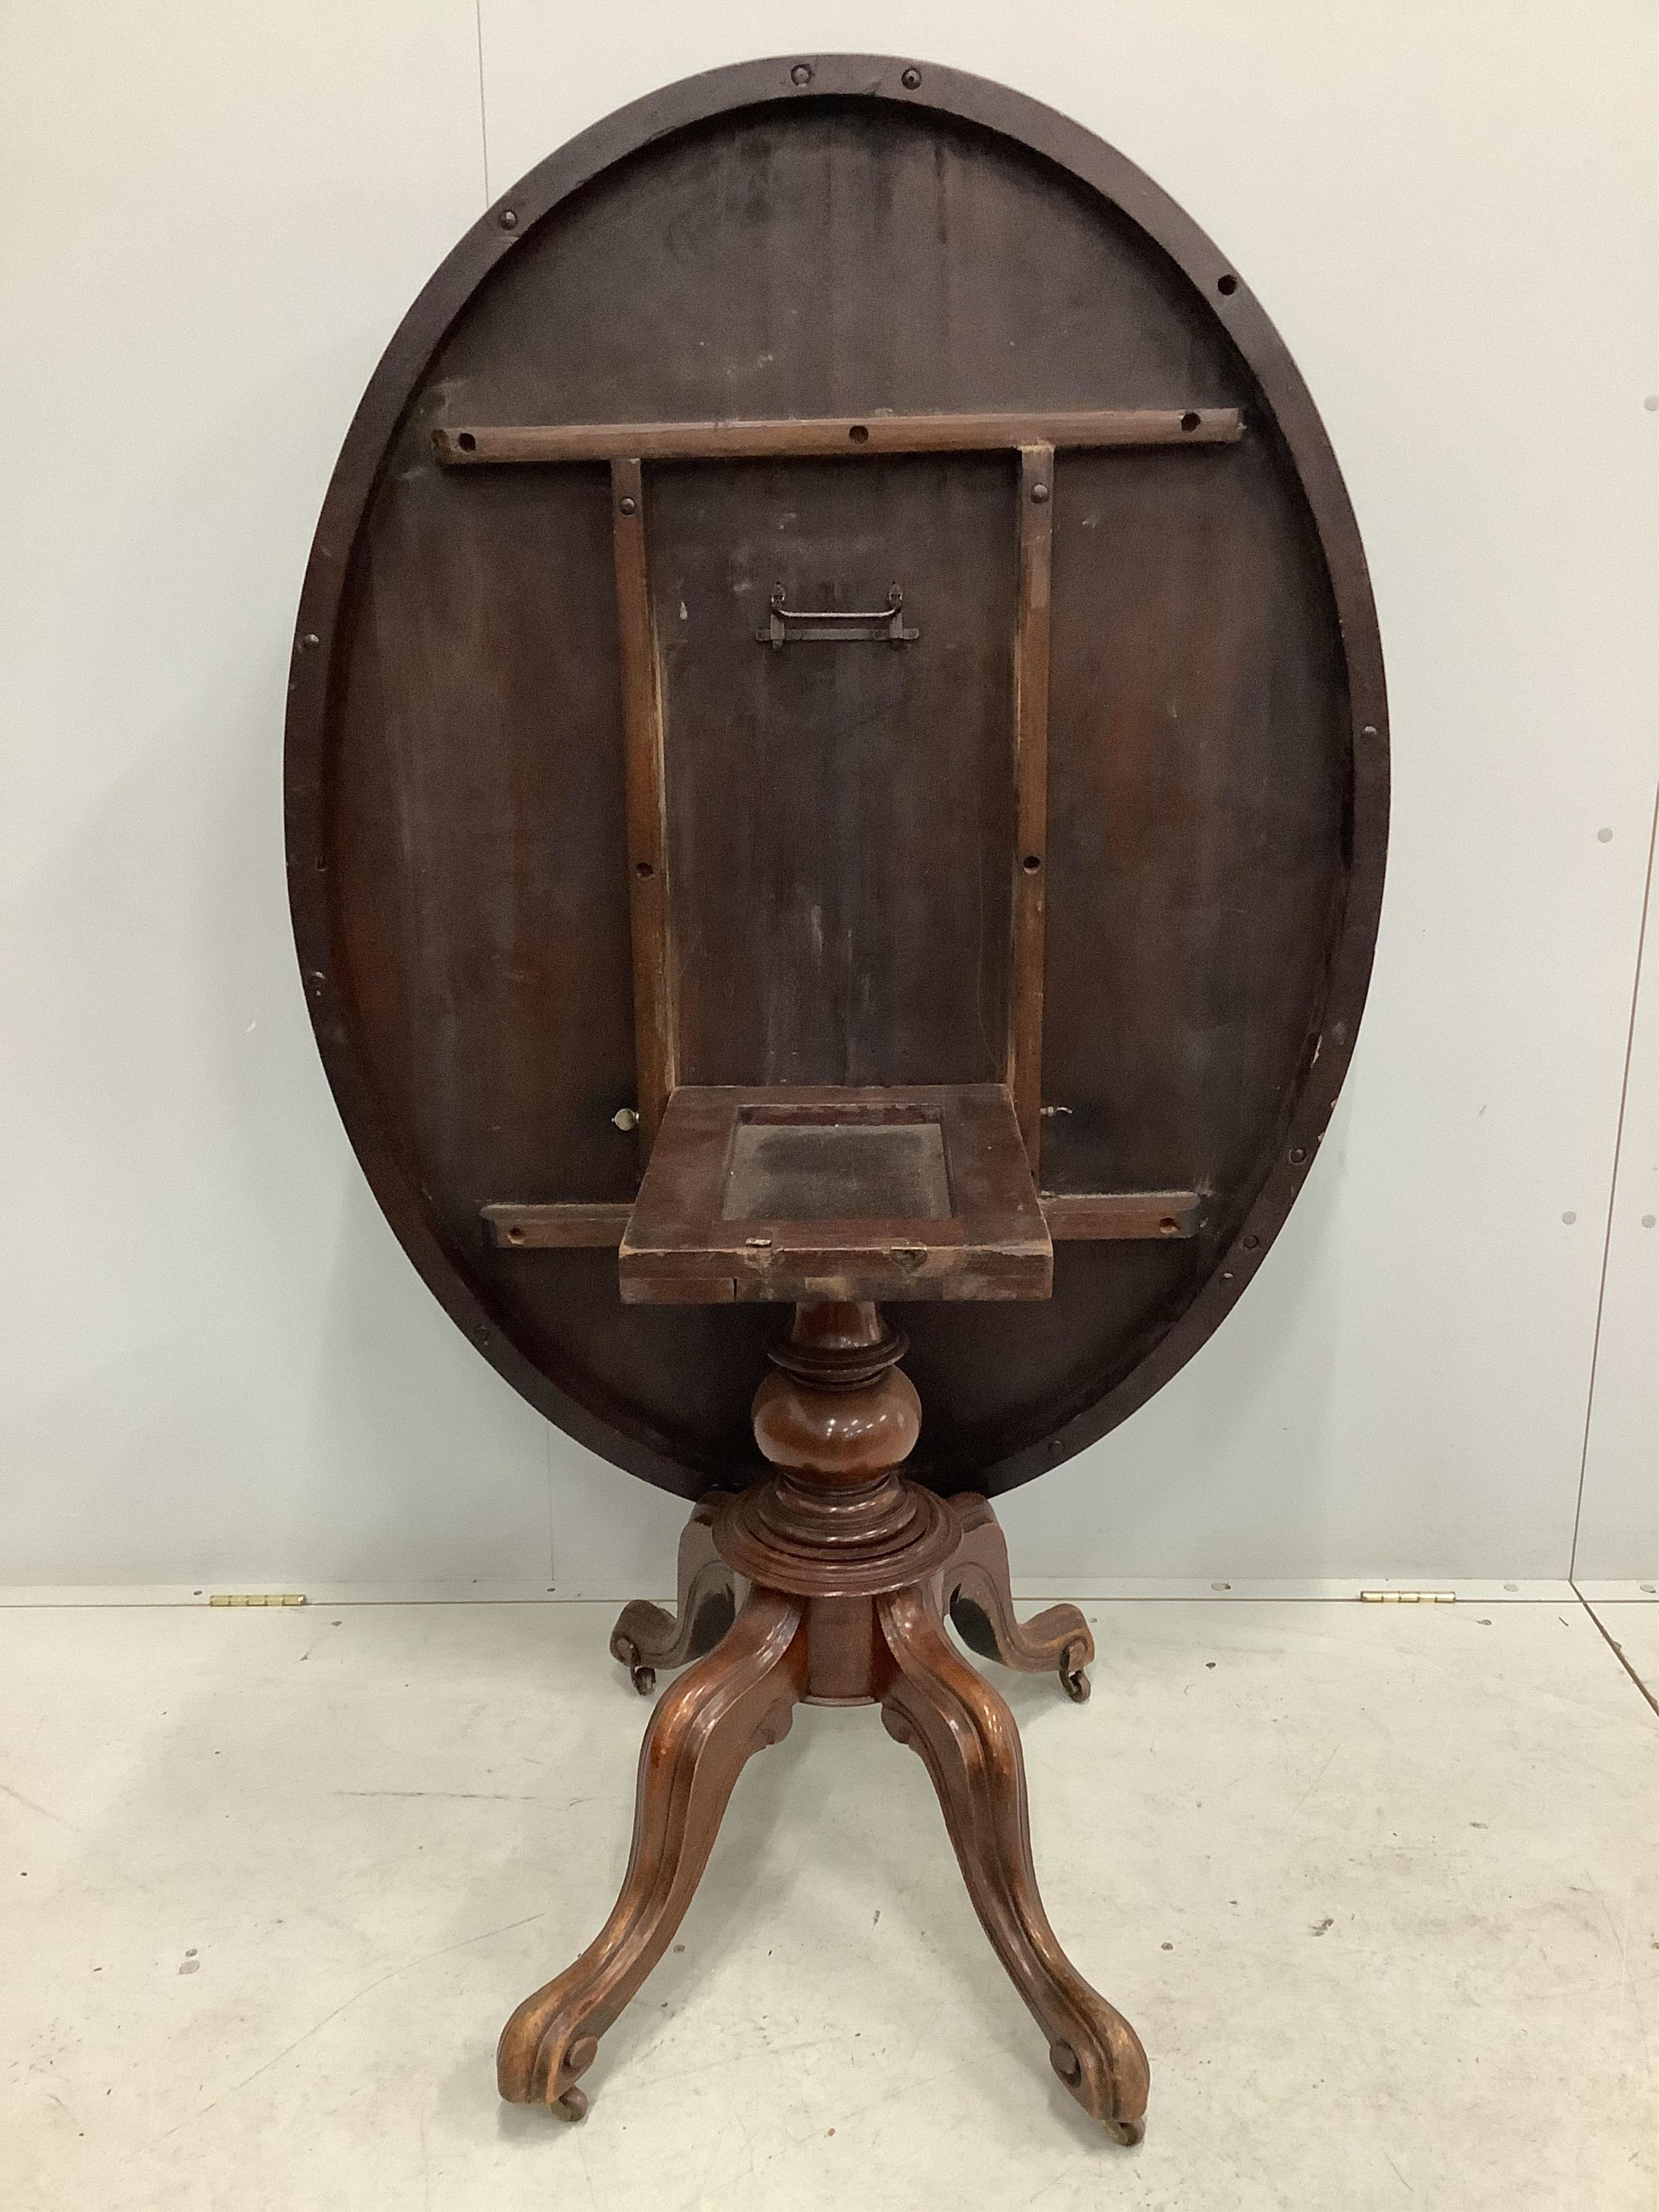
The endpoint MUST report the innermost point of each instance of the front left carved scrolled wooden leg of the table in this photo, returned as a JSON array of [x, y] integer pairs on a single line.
[[700, 1738]]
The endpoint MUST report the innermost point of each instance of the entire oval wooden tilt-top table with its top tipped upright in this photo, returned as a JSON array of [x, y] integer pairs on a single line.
[[837, 760]]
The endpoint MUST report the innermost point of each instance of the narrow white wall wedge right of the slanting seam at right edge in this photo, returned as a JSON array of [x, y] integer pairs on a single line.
[[1618, 1534]]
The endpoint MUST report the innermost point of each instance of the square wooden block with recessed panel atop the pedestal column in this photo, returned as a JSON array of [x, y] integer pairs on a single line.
[[784, 1191]]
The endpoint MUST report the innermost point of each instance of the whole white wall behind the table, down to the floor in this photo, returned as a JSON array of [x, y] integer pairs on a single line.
[[218, 1364]]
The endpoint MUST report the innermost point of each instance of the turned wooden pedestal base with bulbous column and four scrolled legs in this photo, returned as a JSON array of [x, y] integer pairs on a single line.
[[828, 1585]]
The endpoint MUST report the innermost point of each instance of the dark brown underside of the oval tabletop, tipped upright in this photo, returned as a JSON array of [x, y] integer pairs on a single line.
[[470, 693]]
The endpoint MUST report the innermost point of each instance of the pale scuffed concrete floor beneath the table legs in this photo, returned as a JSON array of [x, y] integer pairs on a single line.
[[1377, 1886]]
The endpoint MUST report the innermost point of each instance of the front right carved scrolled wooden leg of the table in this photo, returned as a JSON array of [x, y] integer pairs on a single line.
[[972, 1751]]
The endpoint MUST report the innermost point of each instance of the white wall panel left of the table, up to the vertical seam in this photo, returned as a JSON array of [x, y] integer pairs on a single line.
[[216, 1357]]
